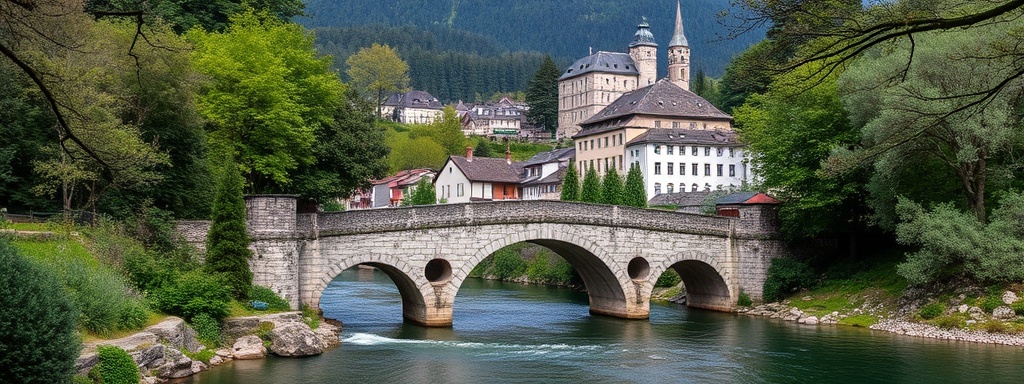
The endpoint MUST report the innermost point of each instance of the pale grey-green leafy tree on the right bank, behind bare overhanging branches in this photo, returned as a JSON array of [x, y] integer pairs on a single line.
[[915, 116]]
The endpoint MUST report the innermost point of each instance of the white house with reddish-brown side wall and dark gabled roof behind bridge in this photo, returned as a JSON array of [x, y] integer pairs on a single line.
[[465, 180]]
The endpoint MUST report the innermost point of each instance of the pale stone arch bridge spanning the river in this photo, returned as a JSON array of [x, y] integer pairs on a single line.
[[430, 251]]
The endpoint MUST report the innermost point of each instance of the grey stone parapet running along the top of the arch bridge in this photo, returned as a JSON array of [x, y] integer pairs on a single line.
[[381, 221]]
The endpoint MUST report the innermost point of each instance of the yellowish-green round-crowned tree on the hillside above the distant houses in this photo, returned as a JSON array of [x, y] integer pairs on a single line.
[[377, 71]]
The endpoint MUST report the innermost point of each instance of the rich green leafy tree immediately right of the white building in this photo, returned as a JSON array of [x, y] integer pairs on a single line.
[[791, 132]]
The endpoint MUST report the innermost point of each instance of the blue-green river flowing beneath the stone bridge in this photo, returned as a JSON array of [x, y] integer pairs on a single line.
[[513, 333]]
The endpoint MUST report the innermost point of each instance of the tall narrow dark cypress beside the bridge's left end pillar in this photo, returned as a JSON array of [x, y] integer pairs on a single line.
[[228, 243]]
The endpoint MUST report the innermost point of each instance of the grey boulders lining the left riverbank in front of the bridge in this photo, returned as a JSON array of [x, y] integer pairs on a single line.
[[162, 352]]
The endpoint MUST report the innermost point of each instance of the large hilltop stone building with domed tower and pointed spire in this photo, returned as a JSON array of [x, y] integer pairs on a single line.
[[599, 80]]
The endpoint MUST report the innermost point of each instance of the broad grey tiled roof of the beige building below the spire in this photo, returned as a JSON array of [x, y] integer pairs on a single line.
[[662, 99]]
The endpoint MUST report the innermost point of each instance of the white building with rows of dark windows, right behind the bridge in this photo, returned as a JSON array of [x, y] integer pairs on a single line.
[[684, 160]]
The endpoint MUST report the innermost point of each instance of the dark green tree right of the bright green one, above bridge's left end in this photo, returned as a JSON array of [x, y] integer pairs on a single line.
[[350, 152]]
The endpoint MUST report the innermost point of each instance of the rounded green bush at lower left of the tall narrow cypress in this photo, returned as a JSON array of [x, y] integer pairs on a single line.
[[195, 293]]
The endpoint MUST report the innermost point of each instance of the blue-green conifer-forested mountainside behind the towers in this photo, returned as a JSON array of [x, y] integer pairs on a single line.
[[441, 39]]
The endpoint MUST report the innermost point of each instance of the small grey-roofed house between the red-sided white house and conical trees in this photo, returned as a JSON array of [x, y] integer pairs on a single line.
[[544, 173]]
